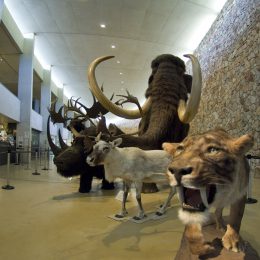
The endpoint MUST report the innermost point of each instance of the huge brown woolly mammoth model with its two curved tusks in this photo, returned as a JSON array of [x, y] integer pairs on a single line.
[[167, 111]]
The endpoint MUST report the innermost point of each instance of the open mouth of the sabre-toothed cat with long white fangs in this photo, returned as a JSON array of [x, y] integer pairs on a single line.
[[195, 200]]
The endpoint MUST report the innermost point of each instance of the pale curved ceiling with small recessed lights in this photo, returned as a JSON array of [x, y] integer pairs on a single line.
[[69, 37]]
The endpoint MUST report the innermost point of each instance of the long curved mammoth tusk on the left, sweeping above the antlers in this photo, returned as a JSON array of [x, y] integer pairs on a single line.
[[128, 114]]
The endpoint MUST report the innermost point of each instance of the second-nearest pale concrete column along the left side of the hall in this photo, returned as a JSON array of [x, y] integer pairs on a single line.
[[45, 104]]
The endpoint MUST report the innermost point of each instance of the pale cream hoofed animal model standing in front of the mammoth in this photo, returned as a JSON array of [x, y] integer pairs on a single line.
[[133, 165]]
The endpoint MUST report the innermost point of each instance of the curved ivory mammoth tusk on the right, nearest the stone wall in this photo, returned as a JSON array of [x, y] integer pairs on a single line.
[[188, 111]]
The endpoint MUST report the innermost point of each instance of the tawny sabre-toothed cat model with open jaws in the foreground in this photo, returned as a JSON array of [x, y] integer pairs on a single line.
[[212, 164]]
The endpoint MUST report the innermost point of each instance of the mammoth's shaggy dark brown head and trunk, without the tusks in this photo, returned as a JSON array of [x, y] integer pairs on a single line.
[[168, 84]]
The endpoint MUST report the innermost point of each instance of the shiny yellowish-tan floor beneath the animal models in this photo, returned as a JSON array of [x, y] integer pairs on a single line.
[[45, 218]]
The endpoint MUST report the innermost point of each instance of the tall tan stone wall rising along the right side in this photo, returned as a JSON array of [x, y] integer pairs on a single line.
[[230, 63]]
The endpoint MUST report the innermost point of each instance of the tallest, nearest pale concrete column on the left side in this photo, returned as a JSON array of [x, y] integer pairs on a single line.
[[25, 91]]
